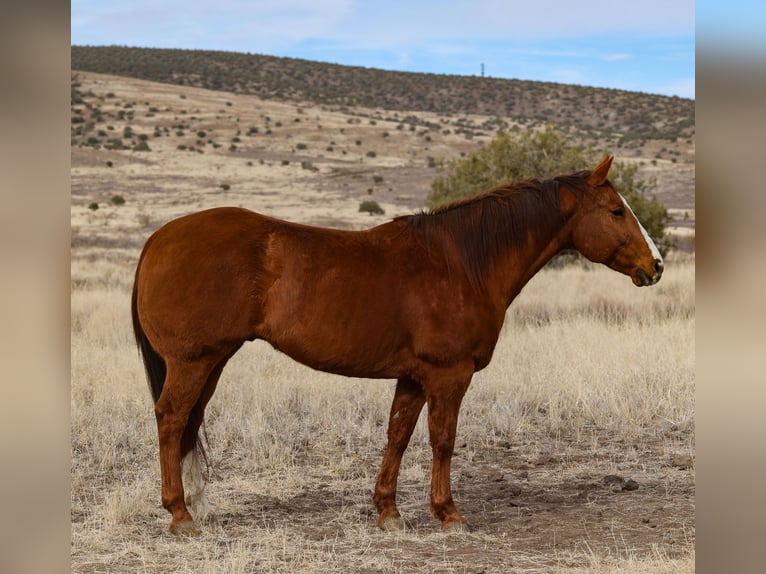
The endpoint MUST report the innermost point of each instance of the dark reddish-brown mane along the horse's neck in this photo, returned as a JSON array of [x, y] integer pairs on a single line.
[[483, 226]]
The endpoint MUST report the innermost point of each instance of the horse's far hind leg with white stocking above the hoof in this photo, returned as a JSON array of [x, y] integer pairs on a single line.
[[191, 450]]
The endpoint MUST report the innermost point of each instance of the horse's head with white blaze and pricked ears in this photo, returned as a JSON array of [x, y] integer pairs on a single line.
[[605, 229]]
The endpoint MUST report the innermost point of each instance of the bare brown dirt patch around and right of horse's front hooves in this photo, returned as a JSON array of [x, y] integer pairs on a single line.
[[537, 514]]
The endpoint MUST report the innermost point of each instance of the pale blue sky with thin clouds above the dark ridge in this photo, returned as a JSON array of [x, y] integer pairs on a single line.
[[640, 45]]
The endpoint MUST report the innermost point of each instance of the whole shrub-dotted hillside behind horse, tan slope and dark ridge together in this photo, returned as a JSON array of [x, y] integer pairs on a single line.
[[172, 146]]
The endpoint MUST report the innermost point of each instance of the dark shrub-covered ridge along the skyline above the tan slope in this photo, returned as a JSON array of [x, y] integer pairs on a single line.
[[630, 116]]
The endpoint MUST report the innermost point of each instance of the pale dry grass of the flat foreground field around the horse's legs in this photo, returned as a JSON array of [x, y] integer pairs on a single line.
[[586, 363]]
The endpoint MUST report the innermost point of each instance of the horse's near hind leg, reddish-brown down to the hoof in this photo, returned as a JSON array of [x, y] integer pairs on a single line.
[[184, 385]]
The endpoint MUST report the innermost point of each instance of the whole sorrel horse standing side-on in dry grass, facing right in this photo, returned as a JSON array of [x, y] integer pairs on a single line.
[[420, 299]]
